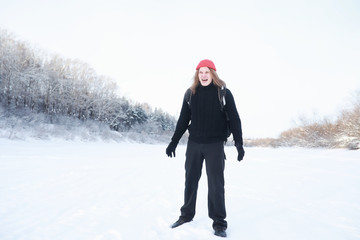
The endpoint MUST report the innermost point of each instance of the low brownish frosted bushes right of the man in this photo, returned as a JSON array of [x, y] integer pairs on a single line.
[[344, 132]]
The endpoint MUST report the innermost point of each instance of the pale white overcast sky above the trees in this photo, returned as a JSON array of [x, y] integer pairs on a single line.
[[281, 59]]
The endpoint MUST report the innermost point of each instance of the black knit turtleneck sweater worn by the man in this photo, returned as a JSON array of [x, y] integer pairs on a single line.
[[205, 119]]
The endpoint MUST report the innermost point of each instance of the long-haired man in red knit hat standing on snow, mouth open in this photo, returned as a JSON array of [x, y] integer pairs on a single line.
[[209, 116]]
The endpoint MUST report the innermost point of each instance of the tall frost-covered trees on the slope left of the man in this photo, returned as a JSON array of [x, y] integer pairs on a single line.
[[35, 81]]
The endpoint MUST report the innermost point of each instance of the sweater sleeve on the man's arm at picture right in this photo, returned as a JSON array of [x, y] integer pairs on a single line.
[[234, 119]]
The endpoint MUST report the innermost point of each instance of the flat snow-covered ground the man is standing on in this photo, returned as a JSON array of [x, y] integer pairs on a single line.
[[54, 189]]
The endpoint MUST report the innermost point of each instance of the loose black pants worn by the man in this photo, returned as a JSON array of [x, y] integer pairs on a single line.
[[214, 156]]
